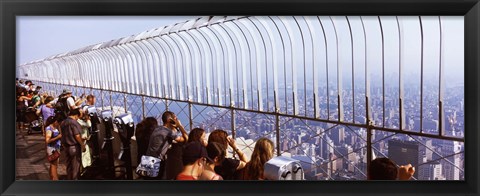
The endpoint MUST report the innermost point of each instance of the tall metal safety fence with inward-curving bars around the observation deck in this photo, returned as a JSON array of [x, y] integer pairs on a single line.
[[333, 92]]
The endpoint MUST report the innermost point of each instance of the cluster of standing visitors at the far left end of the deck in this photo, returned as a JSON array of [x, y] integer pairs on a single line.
[[65, 125]]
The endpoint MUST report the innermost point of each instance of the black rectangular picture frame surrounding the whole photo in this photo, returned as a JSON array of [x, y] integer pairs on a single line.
[[9, 9]]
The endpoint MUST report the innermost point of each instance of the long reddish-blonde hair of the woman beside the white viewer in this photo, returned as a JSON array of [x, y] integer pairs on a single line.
[[262, 152]]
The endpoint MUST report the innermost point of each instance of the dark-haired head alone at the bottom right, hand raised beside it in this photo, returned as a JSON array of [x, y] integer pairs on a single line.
[[382, 169]]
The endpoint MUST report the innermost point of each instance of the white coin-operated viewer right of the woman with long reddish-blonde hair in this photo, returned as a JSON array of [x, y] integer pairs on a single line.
[[283, 168]]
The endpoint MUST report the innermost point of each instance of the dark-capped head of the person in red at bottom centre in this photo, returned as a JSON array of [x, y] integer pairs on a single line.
[[194, 154]]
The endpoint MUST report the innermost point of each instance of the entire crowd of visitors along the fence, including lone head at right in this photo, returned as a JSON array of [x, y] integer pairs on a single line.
[[184, 156]]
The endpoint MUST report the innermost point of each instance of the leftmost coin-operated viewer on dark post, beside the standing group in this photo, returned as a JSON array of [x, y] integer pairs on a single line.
[[106, 117]]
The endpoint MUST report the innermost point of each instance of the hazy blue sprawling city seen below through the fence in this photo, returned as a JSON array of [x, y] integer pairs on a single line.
[[337, 152]]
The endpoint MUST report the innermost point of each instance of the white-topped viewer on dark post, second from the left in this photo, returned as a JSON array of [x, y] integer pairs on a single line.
[[125, 126]]
